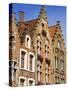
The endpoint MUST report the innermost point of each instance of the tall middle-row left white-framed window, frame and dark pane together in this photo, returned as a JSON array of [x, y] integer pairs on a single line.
[[23, 59]]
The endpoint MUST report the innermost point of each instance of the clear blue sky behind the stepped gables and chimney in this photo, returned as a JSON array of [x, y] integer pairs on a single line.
[[53, 13]]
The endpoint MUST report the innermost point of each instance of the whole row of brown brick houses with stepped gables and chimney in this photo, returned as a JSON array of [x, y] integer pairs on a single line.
[[36, 51]]
